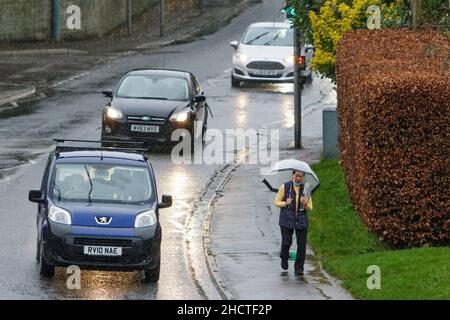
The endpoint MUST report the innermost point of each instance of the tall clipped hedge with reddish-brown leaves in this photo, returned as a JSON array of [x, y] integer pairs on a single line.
[[393, 89]]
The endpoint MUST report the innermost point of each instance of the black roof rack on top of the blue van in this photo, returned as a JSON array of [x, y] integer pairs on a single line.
[[61, 148]]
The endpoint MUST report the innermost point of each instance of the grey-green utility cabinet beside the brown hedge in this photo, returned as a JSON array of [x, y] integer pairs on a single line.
[[330, 133]]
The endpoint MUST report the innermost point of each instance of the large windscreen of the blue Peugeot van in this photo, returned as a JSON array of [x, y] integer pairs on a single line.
[[109, 183]]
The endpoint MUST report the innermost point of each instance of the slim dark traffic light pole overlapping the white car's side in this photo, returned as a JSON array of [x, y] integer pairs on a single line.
[[297, 92]]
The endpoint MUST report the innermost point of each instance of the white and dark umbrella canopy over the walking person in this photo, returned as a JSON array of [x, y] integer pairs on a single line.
[[282, 172]]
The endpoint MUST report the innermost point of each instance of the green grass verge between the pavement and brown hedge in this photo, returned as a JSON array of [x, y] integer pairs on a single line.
[[346, 249]]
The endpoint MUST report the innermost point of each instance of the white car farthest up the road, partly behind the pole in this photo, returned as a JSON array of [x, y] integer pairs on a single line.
[[266, 54]]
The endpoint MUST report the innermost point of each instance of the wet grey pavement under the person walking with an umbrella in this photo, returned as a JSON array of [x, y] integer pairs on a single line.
[[242, 238]]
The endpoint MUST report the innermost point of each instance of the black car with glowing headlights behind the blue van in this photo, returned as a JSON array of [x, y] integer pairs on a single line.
[[149, 104]]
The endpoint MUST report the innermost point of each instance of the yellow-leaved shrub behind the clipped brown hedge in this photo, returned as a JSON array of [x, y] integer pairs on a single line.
[[336, 17]]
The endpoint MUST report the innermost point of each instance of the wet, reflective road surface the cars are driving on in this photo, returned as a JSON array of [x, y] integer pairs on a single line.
[[73, 109]]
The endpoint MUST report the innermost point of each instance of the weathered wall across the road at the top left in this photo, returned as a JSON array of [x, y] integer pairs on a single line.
[[24, 20]]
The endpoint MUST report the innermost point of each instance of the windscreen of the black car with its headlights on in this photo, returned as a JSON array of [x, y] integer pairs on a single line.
[[151, 87]]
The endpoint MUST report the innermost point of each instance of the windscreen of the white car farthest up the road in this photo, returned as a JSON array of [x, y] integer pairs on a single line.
[[268, 36]]
